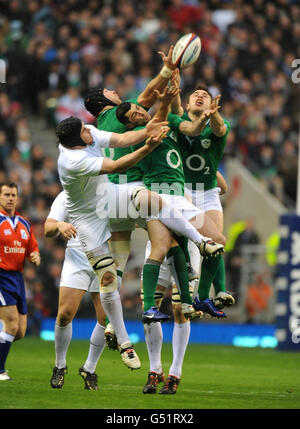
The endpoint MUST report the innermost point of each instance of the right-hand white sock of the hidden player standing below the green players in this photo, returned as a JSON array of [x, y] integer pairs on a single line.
[[180, 339]]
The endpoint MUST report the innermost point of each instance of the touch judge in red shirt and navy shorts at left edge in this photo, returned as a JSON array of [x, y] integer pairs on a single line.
[[17, 242]]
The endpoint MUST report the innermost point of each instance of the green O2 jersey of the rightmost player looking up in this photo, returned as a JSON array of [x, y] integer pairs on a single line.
[[201, 155]]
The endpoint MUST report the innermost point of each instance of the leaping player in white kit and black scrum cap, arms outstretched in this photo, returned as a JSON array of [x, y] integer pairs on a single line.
[[80, 165]]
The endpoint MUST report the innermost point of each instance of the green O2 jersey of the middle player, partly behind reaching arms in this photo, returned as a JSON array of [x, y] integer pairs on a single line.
[[163, 168]]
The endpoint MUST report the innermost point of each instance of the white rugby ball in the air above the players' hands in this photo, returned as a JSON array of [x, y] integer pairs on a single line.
[[187, 50]]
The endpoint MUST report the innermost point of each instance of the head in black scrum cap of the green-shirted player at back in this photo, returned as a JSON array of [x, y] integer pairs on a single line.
[[98, 98]]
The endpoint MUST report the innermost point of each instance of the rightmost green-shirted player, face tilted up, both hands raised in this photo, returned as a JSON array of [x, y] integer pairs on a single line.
[[202, 136]]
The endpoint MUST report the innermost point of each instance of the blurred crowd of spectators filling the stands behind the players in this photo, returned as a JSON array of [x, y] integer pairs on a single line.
[[55, 50]]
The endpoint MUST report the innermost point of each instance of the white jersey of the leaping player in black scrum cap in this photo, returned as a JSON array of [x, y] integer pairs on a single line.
[[79, 173]]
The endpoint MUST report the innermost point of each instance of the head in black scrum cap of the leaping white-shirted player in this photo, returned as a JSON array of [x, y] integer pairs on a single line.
[[72, 132]]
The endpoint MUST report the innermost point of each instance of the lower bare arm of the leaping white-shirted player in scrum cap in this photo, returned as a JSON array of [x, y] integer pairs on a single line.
[[125, 162]]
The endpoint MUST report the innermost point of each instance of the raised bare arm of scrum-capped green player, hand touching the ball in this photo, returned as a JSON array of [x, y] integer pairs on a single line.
[[148, 97]]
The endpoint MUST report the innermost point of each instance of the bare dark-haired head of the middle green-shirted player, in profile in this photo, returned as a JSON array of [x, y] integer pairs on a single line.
[[132, 115]]
